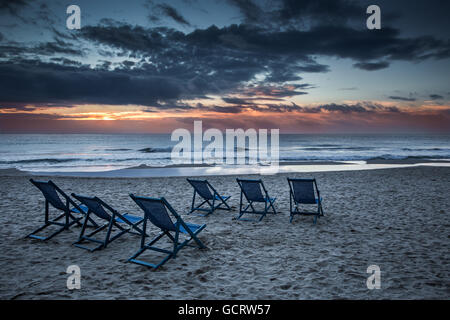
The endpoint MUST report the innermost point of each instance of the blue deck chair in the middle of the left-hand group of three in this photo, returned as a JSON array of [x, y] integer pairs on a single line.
[[112, 219]]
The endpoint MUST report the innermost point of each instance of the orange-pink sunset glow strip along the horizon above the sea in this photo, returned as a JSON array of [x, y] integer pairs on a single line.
[[127, 118]]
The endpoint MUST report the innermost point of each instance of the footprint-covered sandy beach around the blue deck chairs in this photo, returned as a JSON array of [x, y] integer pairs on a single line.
[[397, 219]]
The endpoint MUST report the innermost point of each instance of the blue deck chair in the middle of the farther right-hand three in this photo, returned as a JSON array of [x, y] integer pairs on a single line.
[[251, 190]]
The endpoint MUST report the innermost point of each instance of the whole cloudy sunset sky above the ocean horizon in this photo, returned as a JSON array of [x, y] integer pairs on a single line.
[[303, 66]]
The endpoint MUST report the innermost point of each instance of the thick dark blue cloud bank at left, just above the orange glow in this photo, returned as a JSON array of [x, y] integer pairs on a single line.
[[52, 83]]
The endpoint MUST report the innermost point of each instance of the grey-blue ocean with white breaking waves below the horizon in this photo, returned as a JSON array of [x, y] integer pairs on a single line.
[[103, 152]]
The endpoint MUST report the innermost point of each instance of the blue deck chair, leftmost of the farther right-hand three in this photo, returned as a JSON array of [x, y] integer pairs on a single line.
[[210, 197]]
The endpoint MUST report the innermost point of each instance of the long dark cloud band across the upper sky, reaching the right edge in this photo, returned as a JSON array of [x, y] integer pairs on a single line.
[[338, 41]]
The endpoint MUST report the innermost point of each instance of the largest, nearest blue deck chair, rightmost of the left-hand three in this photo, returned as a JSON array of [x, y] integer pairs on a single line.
[[157, 212]]
